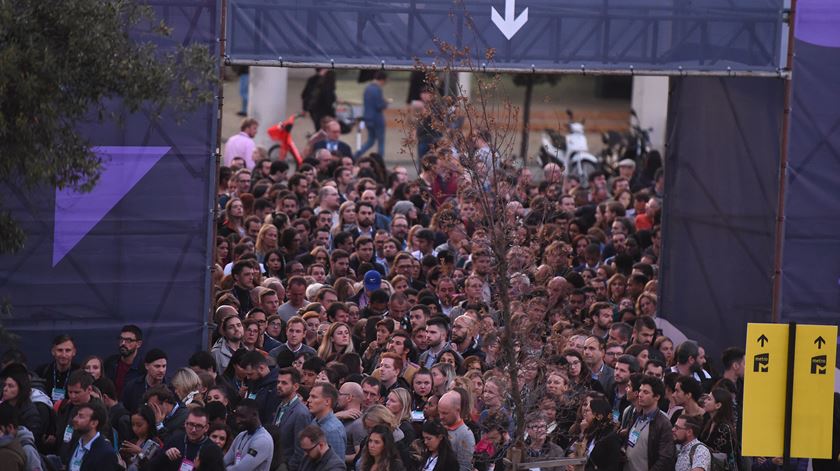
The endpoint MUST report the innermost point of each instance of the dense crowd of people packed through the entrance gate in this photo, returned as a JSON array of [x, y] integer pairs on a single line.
[[359, 326]]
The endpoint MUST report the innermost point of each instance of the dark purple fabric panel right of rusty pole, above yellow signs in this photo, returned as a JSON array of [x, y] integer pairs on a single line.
[[811, 263]]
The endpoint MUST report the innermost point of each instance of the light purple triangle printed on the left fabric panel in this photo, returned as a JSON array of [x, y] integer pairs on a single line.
[[77, 213]]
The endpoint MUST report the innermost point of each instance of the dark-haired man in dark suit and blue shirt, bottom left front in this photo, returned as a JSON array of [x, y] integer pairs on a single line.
[[90, 451]]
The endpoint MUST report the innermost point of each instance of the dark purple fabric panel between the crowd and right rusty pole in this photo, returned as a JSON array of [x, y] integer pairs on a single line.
[[718, 222]]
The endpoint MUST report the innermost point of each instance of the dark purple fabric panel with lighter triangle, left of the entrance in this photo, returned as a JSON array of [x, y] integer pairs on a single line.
[[136, 249]]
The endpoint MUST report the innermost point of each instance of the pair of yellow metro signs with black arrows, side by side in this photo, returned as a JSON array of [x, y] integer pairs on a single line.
[[789, 390]]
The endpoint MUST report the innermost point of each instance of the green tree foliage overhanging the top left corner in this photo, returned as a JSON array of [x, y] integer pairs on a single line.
[[61, 65]]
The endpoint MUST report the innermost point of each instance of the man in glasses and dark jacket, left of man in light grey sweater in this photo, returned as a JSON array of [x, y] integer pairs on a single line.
[[183, 447]]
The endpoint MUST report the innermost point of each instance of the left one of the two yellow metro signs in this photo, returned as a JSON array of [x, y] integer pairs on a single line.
[[765, 387]]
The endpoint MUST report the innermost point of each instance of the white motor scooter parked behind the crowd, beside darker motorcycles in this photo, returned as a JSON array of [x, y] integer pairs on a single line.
[[570, 150]]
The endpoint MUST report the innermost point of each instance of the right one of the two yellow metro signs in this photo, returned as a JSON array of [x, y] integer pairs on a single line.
[[813, 391]]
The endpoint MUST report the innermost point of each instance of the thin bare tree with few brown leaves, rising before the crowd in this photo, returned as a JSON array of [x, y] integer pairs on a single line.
[[474, 142]]
